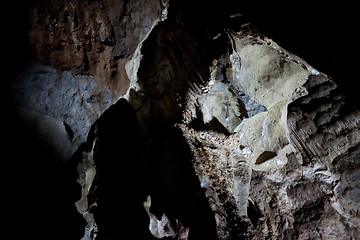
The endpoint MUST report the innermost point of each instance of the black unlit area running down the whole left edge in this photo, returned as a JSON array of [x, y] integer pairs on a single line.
[[39, 191]]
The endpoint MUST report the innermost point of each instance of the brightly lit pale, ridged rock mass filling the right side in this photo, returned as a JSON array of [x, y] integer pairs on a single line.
[[253, 173]]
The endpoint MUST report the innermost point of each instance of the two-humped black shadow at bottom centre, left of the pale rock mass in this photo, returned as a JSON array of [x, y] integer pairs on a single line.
[[131, 166]]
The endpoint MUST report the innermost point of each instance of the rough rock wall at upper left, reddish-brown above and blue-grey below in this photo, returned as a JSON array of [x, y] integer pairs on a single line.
[[81, 49]]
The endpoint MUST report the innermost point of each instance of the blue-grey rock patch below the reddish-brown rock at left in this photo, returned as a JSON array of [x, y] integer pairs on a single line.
[[75, 101]]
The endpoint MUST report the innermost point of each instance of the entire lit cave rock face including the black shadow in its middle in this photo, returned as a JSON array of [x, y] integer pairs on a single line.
[[186, 131]]
